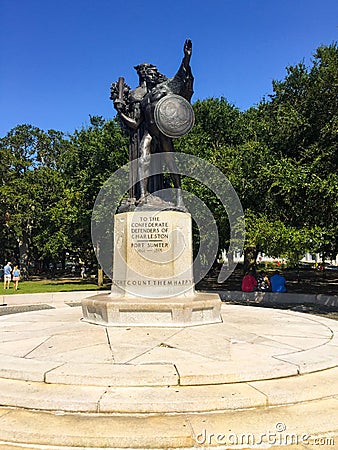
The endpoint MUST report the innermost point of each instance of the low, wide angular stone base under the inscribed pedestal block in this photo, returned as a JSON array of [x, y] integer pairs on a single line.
[[202, 308]]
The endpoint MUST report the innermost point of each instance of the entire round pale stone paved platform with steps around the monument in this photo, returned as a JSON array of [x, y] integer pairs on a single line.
[[264, 376]]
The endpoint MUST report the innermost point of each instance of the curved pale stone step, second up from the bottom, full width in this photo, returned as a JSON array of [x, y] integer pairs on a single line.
[[168, 399]]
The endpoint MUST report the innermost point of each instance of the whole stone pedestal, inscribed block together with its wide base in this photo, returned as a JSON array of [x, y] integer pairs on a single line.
[[152, 275]]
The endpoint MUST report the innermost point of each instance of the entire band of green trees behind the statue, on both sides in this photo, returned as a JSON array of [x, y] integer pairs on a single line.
[[280, 156]]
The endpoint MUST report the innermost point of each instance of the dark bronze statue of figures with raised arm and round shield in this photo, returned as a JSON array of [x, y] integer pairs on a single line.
[[157, 111]]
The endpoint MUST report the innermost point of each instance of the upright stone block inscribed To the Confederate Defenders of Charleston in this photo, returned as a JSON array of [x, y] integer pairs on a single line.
[[152, 255]]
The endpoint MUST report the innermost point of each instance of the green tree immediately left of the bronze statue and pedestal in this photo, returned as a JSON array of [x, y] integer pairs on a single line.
[[93, 155]]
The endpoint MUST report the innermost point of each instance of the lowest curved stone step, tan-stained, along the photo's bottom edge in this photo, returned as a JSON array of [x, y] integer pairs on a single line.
[[306, 425]]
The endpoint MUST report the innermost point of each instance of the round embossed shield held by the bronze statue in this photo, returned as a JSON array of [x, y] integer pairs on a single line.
[[174, 115]]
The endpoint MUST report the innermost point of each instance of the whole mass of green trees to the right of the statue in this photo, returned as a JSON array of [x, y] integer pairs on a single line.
[[281, 158]]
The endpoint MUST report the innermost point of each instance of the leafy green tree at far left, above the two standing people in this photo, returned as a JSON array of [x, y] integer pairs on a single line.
[[31, 190]]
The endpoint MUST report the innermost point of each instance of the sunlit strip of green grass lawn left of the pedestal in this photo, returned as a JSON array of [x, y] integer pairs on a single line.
[[36, 287]]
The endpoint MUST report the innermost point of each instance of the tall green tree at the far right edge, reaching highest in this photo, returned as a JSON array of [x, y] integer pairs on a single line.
[[303, 118]]
